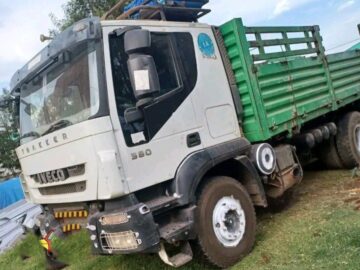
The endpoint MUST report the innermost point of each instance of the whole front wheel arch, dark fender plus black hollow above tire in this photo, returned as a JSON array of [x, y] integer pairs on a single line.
[[228, 159]]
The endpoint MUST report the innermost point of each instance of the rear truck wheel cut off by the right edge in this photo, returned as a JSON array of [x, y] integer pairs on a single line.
[[348, 140]]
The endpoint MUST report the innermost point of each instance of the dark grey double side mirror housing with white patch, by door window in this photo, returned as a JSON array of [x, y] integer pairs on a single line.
[[141, 66]]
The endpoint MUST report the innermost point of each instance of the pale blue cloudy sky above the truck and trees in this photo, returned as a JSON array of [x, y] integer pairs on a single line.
[[23, 21]]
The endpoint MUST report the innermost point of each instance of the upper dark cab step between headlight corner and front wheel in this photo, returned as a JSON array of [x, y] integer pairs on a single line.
[[175, 231]]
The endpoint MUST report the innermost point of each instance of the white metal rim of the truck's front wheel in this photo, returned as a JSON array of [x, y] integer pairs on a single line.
[[229, 221]]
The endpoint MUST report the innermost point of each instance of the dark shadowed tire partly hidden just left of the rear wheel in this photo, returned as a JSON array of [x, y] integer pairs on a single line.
[[329, 155]]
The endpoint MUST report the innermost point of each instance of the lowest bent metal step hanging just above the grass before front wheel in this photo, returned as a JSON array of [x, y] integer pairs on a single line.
[[183, 257]]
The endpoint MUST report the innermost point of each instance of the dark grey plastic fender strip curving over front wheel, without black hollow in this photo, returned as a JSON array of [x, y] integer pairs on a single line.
[[195, 166]]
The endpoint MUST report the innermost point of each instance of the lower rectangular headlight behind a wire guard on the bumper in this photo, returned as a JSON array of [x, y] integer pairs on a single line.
[[120, 241]]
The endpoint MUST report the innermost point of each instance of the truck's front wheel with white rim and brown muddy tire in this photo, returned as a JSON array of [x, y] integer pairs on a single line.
[[226, 222]]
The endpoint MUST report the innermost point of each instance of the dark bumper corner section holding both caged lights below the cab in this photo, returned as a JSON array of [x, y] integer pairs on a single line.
[[131, 230]]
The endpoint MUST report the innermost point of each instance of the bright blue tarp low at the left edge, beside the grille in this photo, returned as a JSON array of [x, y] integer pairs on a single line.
[[10, 192]]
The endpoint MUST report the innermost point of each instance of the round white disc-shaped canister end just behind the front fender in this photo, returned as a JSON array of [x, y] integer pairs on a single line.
[[264, 156]]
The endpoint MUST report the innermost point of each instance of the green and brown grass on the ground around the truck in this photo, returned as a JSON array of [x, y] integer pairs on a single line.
[[319, 229]]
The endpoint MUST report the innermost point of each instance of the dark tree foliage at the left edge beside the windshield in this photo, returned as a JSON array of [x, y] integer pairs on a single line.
[[8, 134]]
